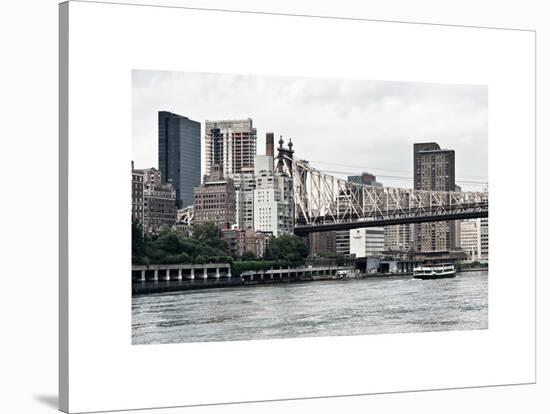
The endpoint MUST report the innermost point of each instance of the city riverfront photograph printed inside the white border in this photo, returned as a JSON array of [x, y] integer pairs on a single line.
[[268, 207]]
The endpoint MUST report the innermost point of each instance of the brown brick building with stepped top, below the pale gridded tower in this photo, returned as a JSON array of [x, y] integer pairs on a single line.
[[215, 201]]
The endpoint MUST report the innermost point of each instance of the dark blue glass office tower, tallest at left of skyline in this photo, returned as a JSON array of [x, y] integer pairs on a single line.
[[180, 155]]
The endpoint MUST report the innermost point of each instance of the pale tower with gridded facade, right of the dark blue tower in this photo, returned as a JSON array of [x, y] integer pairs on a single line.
[[231, 144]]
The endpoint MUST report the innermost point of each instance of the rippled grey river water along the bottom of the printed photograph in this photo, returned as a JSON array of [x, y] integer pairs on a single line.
[[323, 308]]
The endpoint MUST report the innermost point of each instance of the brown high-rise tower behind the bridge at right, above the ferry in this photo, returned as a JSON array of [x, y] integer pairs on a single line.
[[434, 169]]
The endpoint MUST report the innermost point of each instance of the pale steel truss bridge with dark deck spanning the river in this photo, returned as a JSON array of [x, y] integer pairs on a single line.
[[323, 202]]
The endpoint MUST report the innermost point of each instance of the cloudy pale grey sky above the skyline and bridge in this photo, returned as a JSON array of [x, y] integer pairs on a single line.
[[339, 125]]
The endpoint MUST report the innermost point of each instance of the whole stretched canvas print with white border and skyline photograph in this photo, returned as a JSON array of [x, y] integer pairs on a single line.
[[261, 207]]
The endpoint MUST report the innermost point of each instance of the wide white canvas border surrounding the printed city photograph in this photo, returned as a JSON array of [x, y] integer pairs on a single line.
[[98, 67]]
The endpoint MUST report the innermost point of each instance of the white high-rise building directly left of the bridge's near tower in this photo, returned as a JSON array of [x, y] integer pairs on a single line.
[[273, 199]]
